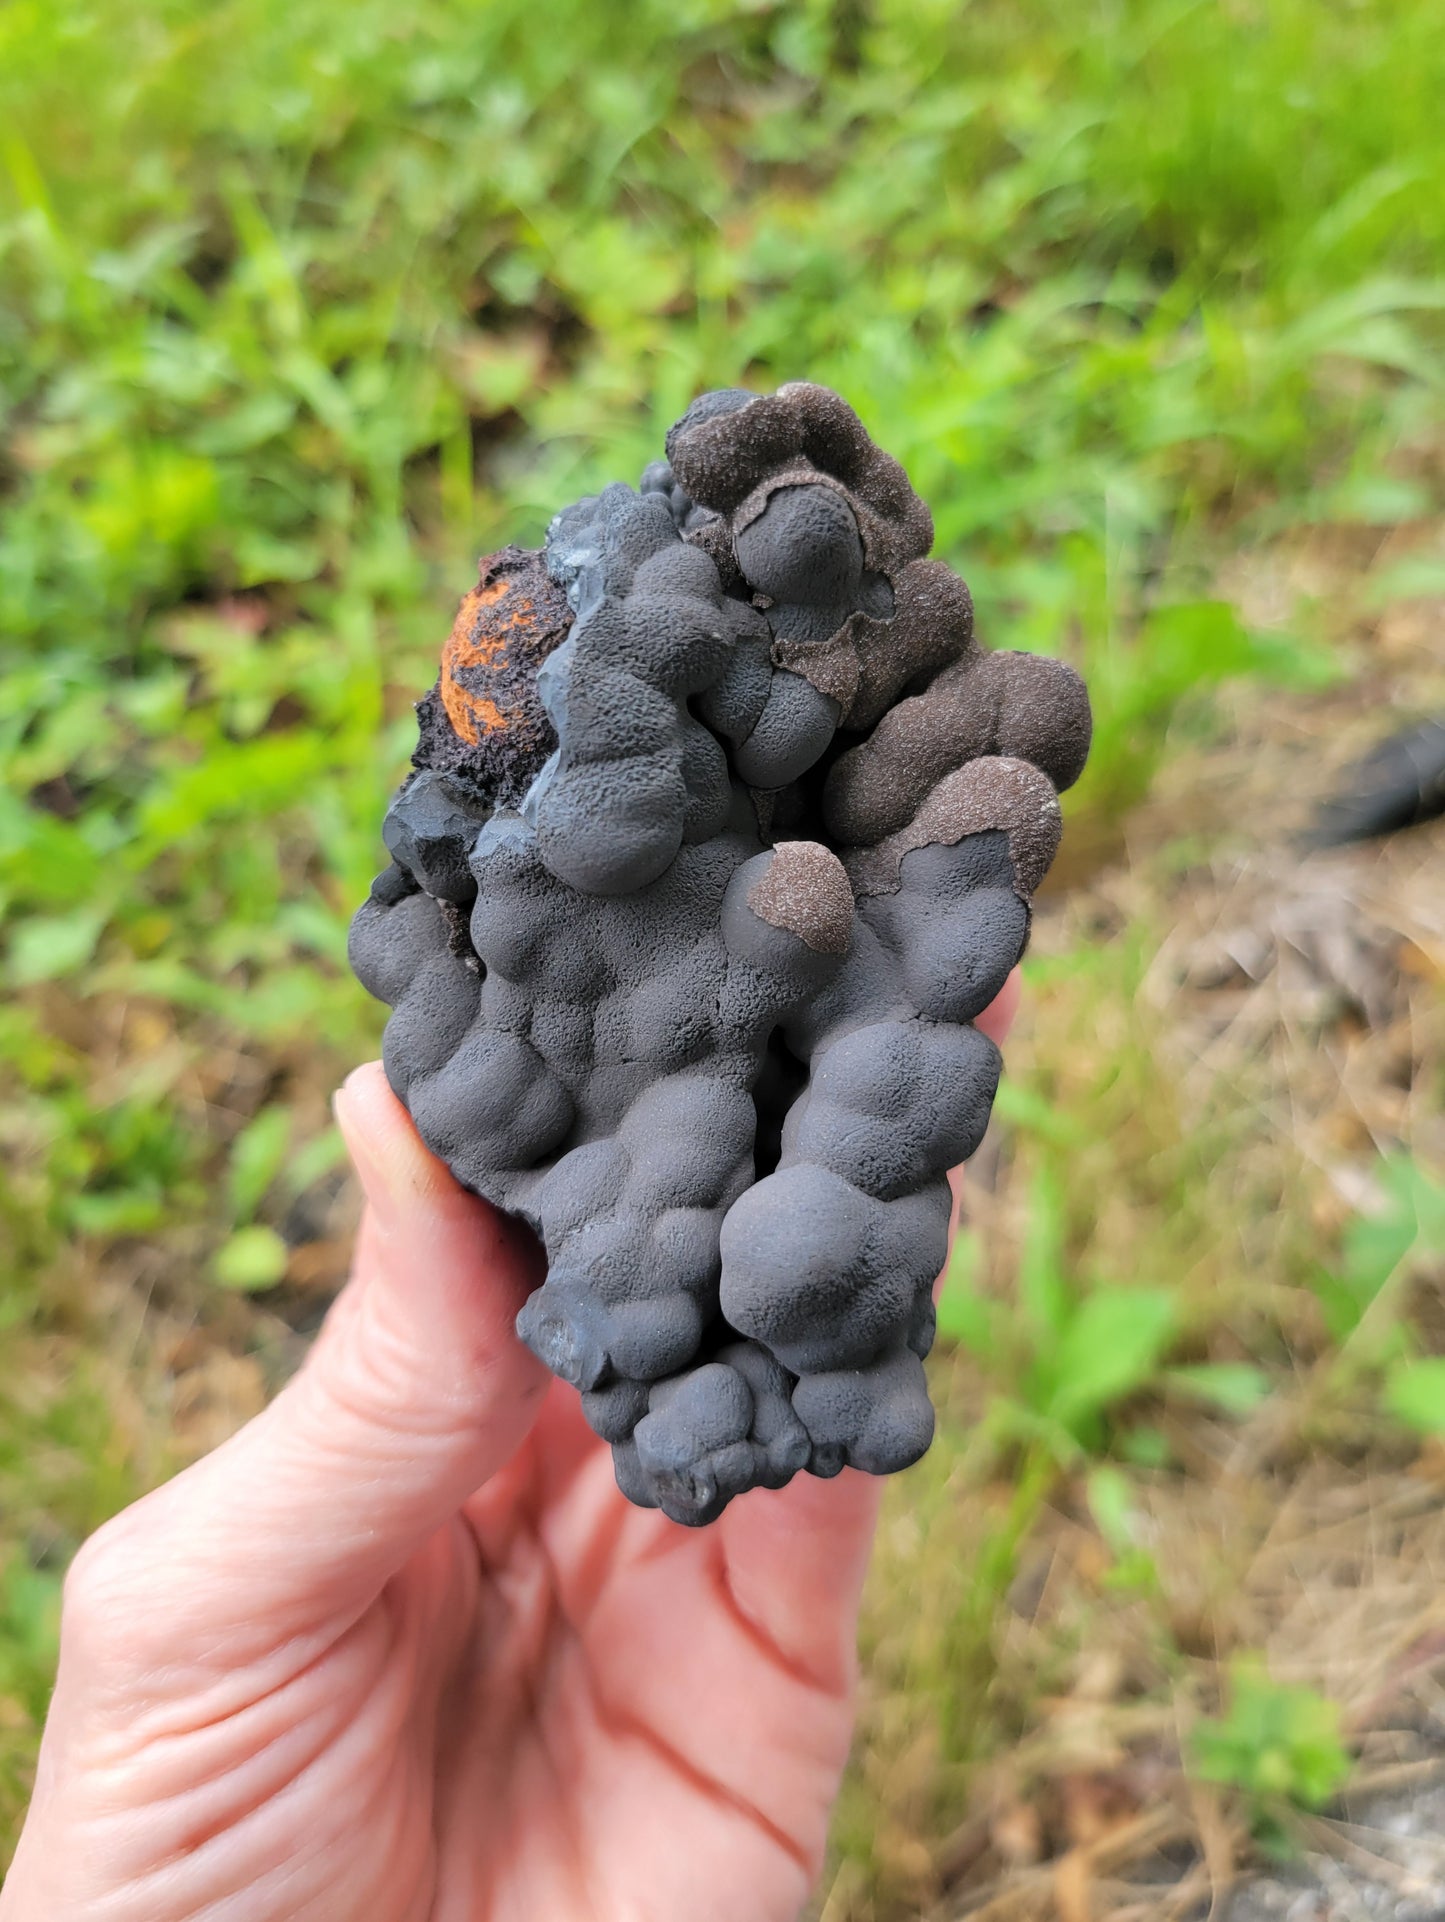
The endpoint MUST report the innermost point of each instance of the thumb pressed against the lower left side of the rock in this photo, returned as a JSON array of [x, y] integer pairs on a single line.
[[414, 1394]]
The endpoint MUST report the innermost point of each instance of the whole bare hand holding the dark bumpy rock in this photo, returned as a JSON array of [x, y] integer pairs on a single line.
[[401, 1652]]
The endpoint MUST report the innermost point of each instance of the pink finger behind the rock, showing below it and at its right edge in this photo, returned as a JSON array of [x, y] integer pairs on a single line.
[[796, 1560]]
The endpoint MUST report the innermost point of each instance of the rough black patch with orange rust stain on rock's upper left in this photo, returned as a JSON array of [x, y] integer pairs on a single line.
[[485, 718]]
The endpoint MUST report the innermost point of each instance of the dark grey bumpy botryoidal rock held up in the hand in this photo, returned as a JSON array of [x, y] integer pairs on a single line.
[[722, 833]]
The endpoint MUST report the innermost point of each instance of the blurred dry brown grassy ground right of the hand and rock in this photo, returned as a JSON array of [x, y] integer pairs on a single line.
[[1271, 1025]]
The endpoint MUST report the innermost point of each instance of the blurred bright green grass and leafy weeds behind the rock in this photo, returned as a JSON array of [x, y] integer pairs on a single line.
[[306, 305]]
